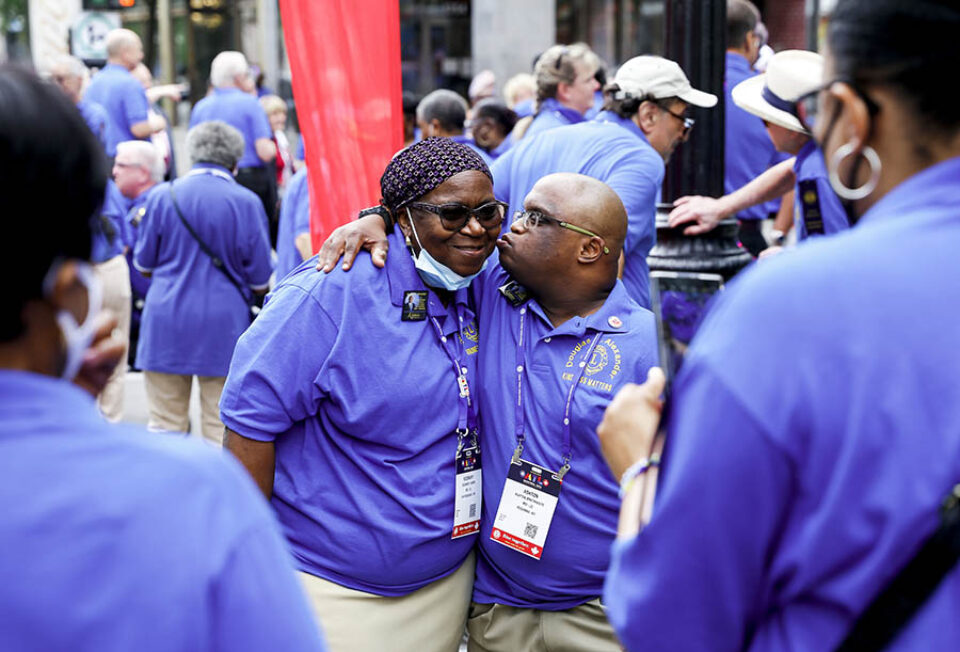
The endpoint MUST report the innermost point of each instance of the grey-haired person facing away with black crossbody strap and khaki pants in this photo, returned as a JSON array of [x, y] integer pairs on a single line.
[[196, 310]]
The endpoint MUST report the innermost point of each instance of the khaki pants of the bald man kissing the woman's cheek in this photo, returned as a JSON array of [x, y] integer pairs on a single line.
[[500, 628]]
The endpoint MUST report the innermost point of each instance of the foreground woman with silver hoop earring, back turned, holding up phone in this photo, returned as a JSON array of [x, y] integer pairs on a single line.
[[796, 487]]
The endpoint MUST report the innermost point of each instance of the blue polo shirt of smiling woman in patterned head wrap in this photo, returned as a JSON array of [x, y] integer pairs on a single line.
[[363, 409]]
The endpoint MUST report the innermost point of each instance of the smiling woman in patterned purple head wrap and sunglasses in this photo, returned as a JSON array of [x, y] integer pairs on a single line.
[[349, 401]]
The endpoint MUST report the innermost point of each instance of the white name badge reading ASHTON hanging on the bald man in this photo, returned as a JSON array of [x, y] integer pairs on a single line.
[[529, 500]]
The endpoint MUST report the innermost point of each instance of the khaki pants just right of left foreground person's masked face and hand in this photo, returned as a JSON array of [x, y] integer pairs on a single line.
[[114, 276]]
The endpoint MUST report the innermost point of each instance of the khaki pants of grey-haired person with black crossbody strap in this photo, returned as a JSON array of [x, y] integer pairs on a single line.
[[168, 399]]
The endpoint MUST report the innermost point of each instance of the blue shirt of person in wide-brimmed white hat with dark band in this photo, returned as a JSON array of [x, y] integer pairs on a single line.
[[815, 198]]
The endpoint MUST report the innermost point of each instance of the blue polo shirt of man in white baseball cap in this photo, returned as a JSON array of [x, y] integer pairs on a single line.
[[611, 149]]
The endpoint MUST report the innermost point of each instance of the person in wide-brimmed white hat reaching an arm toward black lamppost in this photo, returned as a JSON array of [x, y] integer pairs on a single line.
[[785, 97]]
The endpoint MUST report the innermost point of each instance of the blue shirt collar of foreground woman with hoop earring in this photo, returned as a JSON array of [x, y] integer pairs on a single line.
[[935, 186]]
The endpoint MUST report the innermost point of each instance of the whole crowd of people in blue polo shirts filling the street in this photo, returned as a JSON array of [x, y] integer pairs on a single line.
[[444, 430]]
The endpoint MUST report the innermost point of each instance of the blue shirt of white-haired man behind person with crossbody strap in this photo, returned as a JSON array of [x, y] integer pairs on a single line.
[[241, 111]]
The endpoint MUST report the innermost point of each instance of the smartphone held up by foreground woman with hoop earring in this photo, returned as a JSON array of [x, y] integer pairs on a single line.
[[680, 301]]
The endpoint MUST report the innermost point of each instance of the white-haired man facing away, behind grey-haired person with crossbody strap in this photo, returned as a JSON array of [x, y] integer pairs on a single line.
[[229, 102]]
